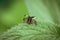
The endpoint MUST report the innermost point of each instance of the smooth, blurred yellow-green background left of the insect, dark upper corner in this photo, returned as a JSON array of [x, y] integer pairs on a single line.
[[11, 13]]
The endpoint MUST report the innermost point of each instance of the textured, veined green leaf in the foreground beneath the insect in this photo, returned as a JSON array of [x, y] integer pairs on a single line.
[[23, 31]]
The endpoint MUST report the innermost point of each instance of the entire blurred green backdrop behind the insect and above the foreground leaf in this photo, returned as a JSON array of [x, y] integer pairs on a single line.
[[12, 11]]
